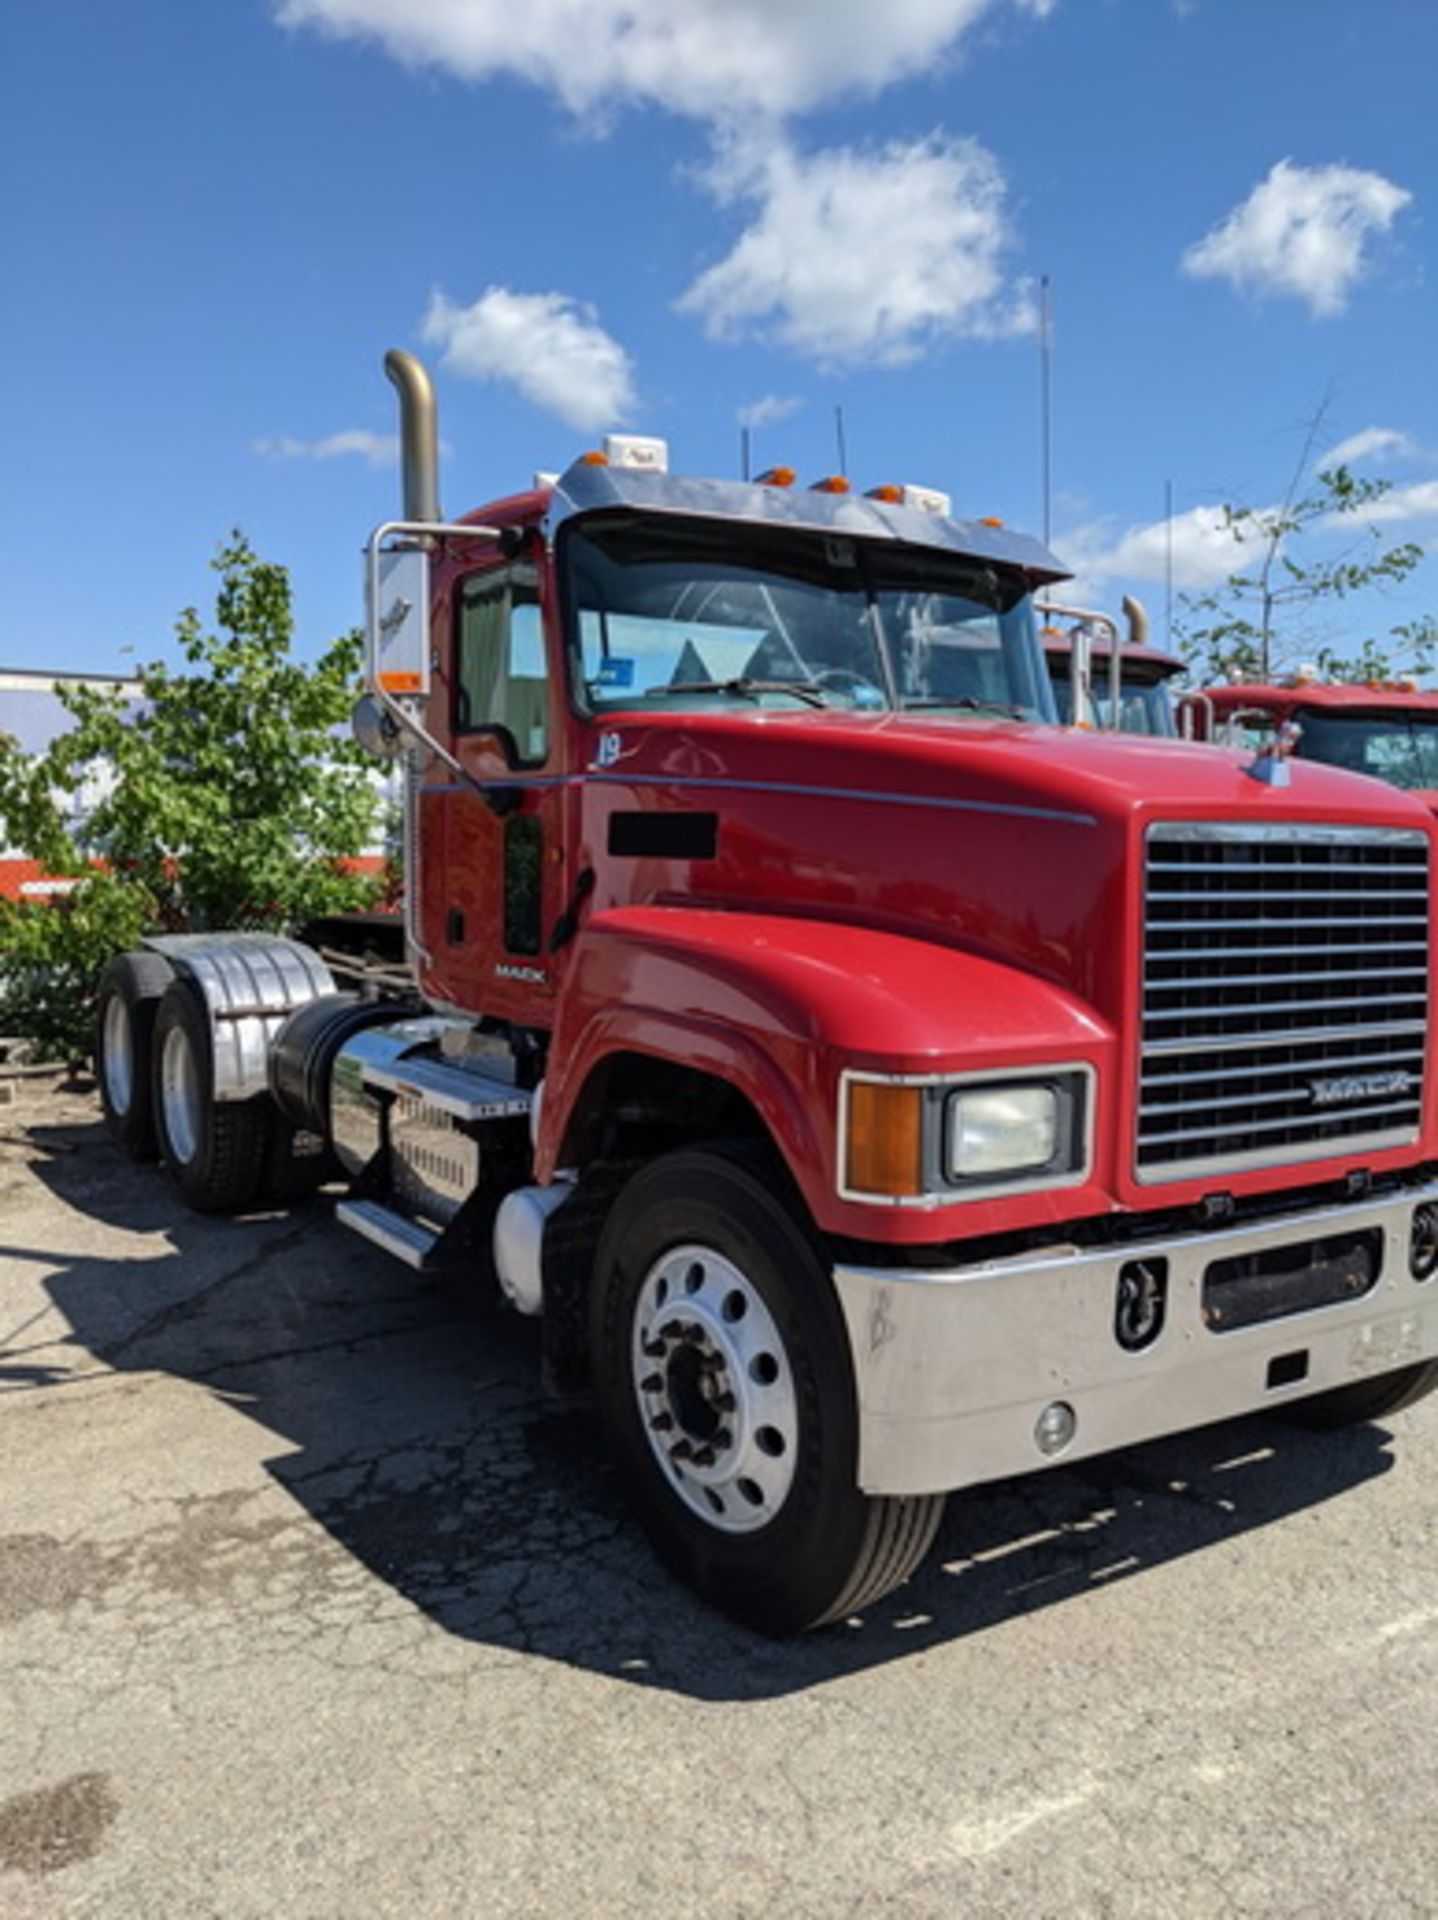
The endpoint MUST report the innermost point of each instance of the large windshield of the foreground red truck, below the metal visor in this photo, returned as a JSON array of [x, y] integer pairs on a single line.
[[690, 613]]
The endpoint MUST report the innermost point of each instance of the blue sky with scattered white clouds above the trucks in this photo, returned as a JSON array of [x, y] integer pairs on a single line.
[[679, 214]]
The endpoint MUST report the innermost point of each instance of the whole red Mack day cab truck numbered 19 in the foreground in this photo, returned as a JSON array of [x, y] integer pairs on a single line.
[[876, 1088]]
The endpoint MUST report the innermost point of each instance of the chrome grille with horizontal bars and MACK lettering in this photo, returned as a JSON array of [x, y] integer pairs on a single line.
[[1285, 996]]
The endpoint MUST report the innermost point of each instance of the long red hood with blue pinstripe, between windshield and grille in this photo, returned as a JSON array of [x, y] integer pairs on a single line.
[[1022, 844]]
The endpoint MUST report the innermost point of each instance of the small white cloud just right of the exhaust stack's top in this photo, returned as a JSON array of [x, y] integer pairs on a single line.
[[548, 347]]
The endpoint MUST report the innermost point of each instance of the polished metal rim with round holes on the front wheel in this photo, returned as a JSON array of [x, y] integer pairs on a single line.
[[715, 1389]]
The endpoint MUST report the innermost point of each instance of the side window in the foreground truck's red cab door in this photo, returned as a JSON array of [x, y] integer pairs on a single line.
[[500, 663]]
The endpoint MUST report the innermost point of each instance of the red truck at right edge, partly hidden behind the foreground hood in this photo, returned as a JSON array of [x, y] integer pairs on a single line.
[[1381, 729]]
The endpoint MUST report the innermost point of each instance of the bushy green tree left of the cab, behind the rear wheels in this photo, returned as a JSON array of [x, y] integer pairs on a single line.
[[235, 804]]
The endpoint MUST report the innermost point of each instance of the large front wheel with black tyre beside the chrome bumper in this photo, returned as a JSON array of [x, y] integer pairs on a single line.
[[729, 1399]]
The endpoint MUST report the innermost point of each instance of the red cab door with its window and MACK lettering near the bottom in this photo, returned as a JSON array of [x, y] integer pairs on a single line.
[[504, 869]]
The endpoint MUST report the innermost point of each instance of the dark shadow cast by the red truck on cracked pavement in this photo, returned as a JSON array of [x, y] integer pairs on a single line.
[[412, 1429]]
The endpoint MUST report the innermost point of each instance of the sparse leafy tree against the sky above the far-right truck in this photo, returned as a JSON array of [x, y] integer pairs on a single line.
[[1314, 552]]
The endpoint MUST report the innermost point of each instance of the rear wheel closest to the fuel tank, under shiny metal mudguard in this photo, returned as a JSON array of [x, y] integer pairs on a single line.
[[212, 1149]]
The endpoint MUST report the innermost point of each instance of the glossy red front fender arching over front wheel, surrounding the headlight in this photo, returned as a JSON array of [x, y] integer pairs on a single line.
[[780, 1007]]
